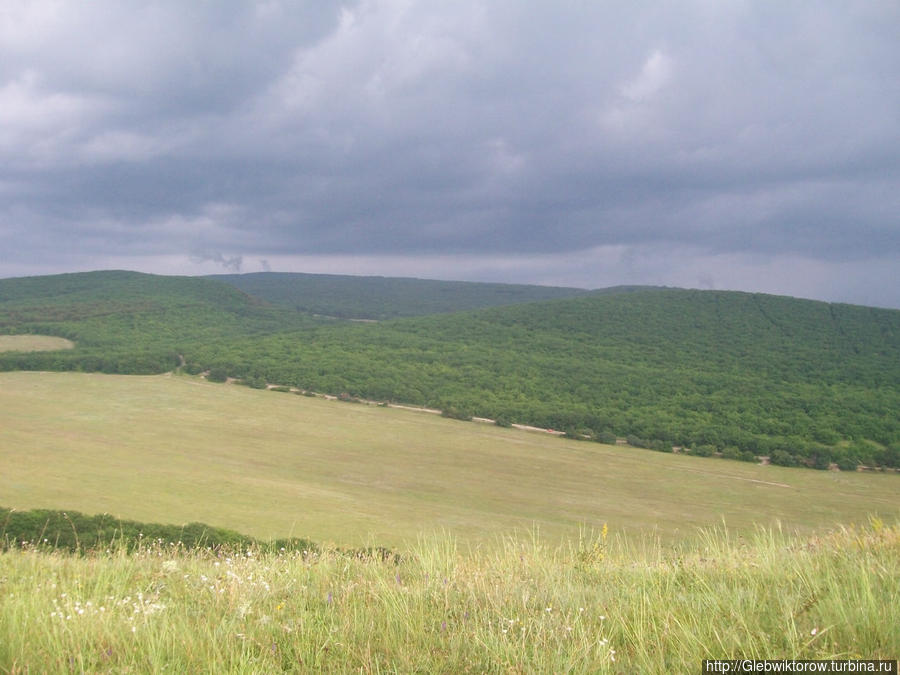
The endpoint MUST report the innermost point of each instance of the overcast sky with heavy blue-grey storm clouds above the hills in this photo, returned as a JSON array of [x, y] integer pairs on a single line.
[[745, 145]]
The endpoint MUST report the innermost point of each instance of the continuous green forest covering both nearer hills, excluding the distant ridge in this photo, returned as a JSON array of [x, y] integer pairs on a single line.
[[732, 374]]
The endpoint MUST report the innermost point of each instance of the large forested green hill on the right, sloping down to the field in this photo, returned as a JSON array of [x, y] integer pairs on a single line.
[[746, 373]]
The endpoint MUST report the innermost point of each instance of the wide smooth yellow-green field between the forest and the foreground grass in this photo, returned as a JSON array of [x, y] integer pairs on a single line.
[[178, 449]]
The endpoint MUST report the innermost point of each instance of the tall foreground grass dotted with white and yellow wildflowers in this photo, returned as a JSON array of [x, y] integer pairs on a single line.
[[601, 604]]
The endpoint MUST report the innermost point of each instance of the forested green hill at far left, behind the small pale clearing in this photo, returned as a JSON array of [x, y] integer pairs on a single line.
[[128, 322]]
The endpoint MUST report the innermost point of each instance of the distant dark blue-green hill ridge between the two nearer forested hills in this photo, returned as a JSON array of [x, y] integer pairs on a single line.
[[359, 297]]
